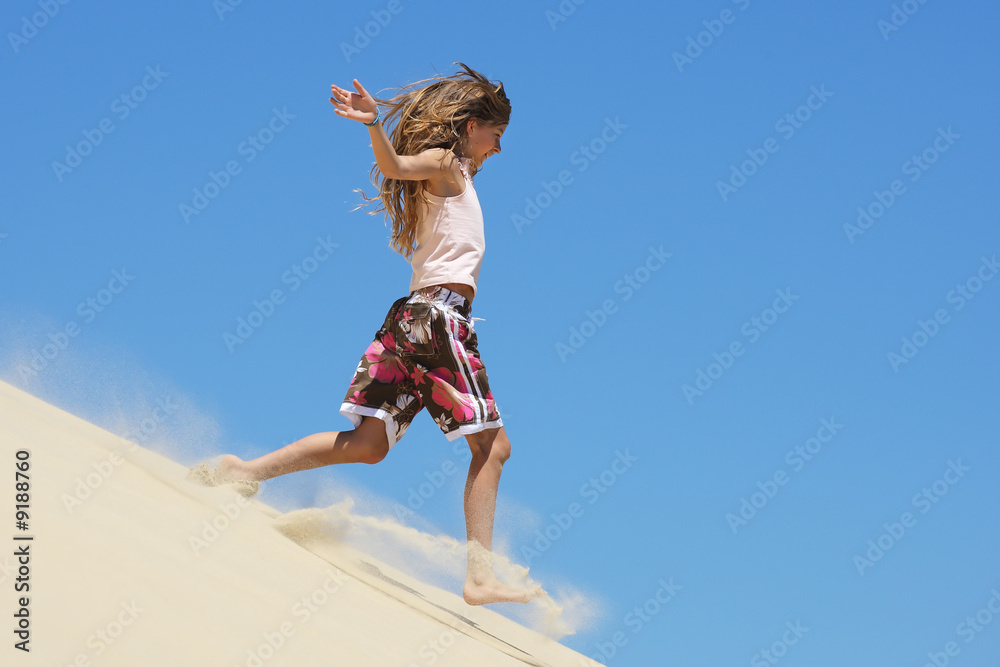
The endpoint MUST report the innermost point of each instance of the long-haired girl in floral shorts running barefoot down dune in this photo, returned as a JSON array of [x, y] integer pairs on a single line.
[[425, 354]]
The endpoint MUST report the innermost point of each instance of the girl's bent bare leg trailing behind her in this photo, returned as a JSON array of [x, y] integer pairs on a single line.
[[365, 444]]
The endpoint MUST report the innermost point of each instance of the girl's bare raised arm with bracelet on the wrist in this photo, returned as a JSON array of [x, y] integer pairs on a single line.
[[432, 164]]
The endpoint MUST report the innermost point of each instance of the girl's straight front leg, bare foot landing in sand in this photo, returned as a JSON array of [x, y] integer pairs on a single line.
[[490, 449]]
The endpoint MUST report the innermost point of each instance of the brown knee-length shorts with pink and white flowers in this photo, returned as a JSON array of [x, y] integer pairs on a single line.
[[424, 356]]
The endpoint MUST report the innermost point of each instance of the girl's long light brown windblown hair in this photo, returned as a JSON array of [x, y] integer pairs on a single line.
[[432, 113]]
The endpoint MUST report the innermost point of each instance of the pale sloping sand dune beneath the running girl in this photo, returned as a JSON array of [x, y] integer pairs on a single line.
[[133, 565]]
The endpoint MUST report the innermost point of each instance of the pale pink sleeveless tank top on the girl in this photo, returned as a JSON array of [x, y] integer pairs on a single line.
[[450, 240]]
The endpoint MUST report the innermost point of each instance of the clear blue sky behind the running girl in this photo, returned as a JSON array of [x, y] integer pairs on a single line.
[[746, 161]]
